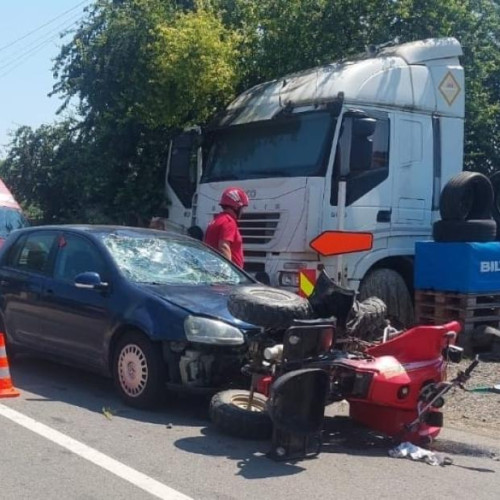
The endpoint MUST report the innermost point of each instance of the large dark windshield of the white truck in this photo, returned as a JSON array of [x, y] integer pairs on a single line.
[[291, 146]]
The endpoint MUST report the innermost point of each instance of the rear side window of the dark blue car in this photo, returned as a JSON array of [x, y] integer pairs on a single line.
[[31, 253]]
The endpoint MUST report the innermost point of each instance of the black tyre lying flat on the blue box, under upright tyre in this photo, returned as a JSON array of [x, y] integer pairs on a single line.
[[448, 231]]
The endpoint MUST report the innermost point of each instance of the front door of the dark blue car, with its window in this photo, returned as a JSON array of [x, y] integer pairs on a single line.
[[77, 317]]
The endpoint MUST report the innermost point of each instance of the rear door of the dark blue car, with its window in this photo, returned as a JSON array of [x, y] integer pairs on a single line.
[[23, 276]]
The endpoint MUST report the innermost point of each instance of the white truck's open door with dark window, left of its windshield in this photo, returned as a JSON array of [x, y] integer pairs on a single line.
[[182, 176]]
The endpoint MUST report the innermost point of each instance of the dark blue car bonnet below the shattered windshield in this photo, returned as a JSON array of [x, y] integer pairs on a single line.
[[204, 300]]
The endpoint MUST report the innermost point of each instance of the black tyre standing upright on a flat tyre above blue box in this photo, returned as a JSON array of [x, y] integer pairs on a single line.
[[468, 195]]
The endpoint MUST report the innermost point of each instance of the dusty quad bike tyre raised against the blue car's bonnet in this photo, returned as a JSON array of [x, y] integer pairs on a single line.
[[268, 307]]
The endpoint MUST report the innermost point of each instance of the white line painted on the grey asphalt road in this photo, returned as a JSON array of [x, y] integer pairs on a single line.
[[137, 478]]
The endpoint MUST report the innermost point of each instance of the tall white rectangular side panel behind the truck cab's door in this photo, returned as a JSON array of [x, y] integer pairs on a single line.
[[413, 172]]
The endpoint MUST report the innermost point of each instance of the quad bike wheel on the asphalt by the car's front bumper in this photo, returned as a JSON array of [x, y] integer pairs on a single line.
[[229, 414]]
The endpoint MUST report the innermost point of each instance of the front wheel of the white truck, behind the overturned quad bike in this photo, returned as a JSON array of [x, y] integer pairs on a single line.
[[390, 287]]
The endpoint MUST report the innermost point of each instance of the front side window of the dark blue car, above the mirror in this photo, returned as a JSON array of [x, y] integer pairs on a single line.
[[77, 255]]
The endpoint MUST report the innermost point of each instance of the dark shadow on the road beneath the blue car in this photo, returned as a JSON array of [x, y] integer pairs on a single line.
[[47, 381]]
